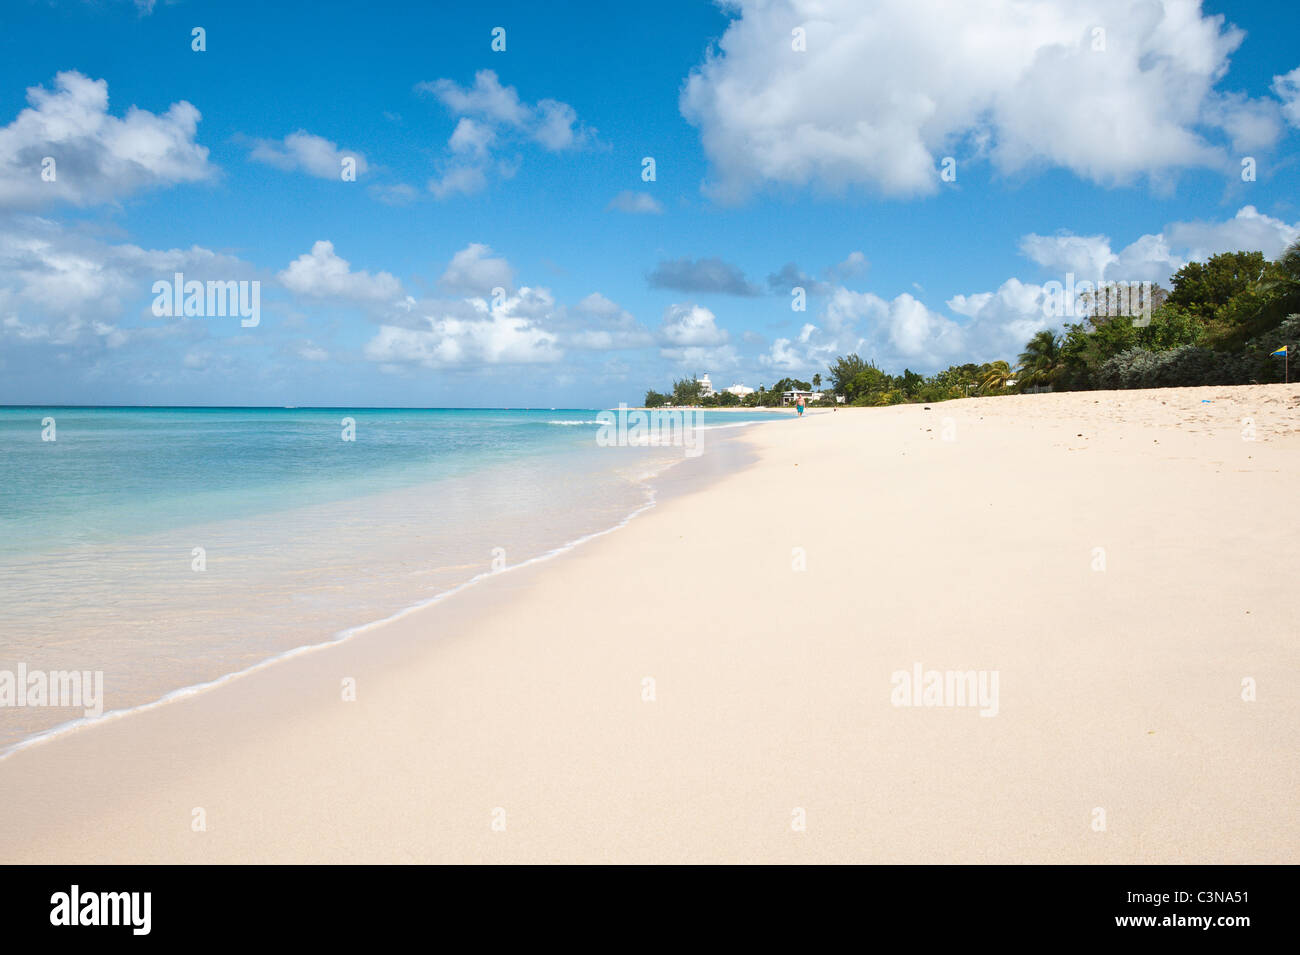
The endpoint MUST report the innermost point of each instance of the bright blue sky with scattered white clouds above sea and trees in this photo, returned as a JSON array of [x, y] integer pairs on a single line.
[[1113, 155]]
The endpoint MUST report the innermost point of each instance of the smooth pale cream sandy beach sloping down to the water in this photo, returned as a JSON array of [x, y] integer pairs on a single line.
[[717, 681]]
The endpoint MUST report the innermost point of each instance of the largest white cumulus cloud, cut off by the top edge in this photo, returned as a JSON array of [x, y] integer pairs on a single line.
[[885, 90]]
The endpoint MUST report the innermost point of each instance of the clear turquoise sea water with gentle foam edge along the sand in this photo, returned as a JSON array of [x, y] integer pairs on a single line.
[[170, 548]]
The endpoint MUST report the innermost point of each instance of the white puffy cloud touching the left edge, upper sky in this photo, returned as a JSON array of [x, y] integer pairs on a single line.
[[98, 158]]
